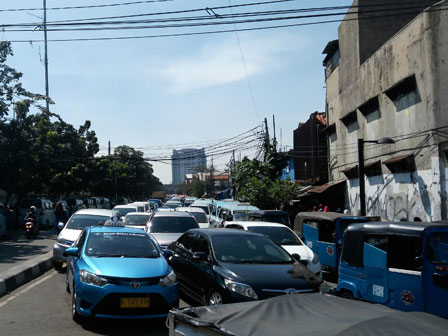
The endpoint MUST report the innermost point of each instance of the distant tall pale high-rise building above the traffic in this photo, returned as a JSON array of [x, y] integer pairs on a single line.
[[187, 161]]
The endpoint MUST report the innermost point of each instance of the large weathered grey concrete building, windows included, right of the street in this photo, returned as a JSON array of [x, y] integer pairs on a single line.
[[388, 77]]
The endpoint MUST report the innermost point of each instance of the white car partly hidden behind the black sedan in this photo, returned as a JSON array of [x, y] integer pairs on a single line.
[[284, 236]]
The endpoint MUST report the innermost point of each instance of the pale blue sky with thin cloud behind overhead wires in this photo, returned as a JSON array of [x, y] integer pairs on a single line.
[[186, 91]]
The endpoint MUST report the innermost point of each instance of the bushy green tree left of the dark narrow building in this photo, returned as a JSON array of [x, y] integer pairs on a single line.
[[257, 182]]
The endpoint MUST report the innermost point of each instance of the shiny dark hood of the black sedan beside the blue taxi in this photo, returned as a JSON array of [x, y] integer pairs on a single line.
[[271, 276]]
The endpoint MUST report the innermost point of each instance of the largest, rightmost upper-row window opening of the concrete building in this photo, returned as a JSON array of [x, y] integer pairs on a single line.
[[404, 94]]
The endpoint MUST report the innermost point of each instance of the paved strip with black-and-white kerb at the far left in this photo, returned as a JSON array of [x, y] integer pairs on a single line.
[[22, 259]]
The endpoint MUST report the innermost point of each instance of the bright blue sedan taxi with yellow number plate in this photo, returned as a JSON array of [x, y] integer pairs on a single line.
[[119, 272]]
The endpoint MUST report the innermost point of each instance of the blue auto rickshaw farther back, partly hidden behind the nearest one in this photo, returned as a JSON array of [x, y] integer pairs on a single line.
[[323, 232]]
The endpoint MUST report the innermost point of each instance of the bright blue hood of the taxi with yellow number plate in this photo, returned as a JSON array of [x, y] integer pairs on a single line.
[[129, 267]]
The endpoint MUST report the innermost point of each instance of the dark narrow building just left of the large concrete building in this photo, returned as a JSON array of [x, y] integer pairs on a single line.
[[310, 150]]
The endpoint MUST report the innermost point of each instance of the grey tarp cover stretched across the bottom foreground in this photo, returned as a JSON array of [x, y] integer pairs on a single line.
[[311, 314]]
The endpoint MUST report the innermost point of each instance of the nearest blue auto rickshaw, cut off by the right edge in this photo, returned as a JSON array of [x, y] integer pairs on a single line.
[[401, 265]]
